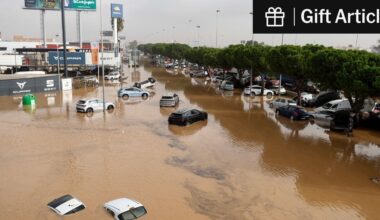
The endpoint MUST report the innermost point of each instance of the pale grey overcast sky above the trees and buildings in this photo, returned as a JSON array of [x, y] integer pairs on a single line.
[[164, 21]]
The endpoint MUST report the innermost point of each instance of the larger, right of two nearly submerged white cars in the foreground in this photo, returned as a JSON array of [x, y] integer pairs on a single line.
[[125, 209]]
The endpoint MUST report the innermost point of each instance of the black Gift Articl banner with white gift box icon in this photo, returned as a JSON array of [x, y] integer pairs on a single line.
[[323, 16]]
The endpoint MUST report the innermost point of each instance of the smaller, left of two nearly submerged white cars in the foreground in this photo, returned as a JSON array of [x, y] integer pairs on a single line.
[[66, 205]]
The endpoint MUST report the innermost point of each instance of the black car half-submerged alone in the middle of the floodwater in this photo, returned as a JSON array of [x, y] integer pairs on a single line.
[[185, 116]]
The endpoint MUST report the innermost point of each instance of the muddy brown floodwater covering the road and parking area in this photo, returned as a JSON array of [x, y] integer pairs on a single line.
[[243, 163]]
